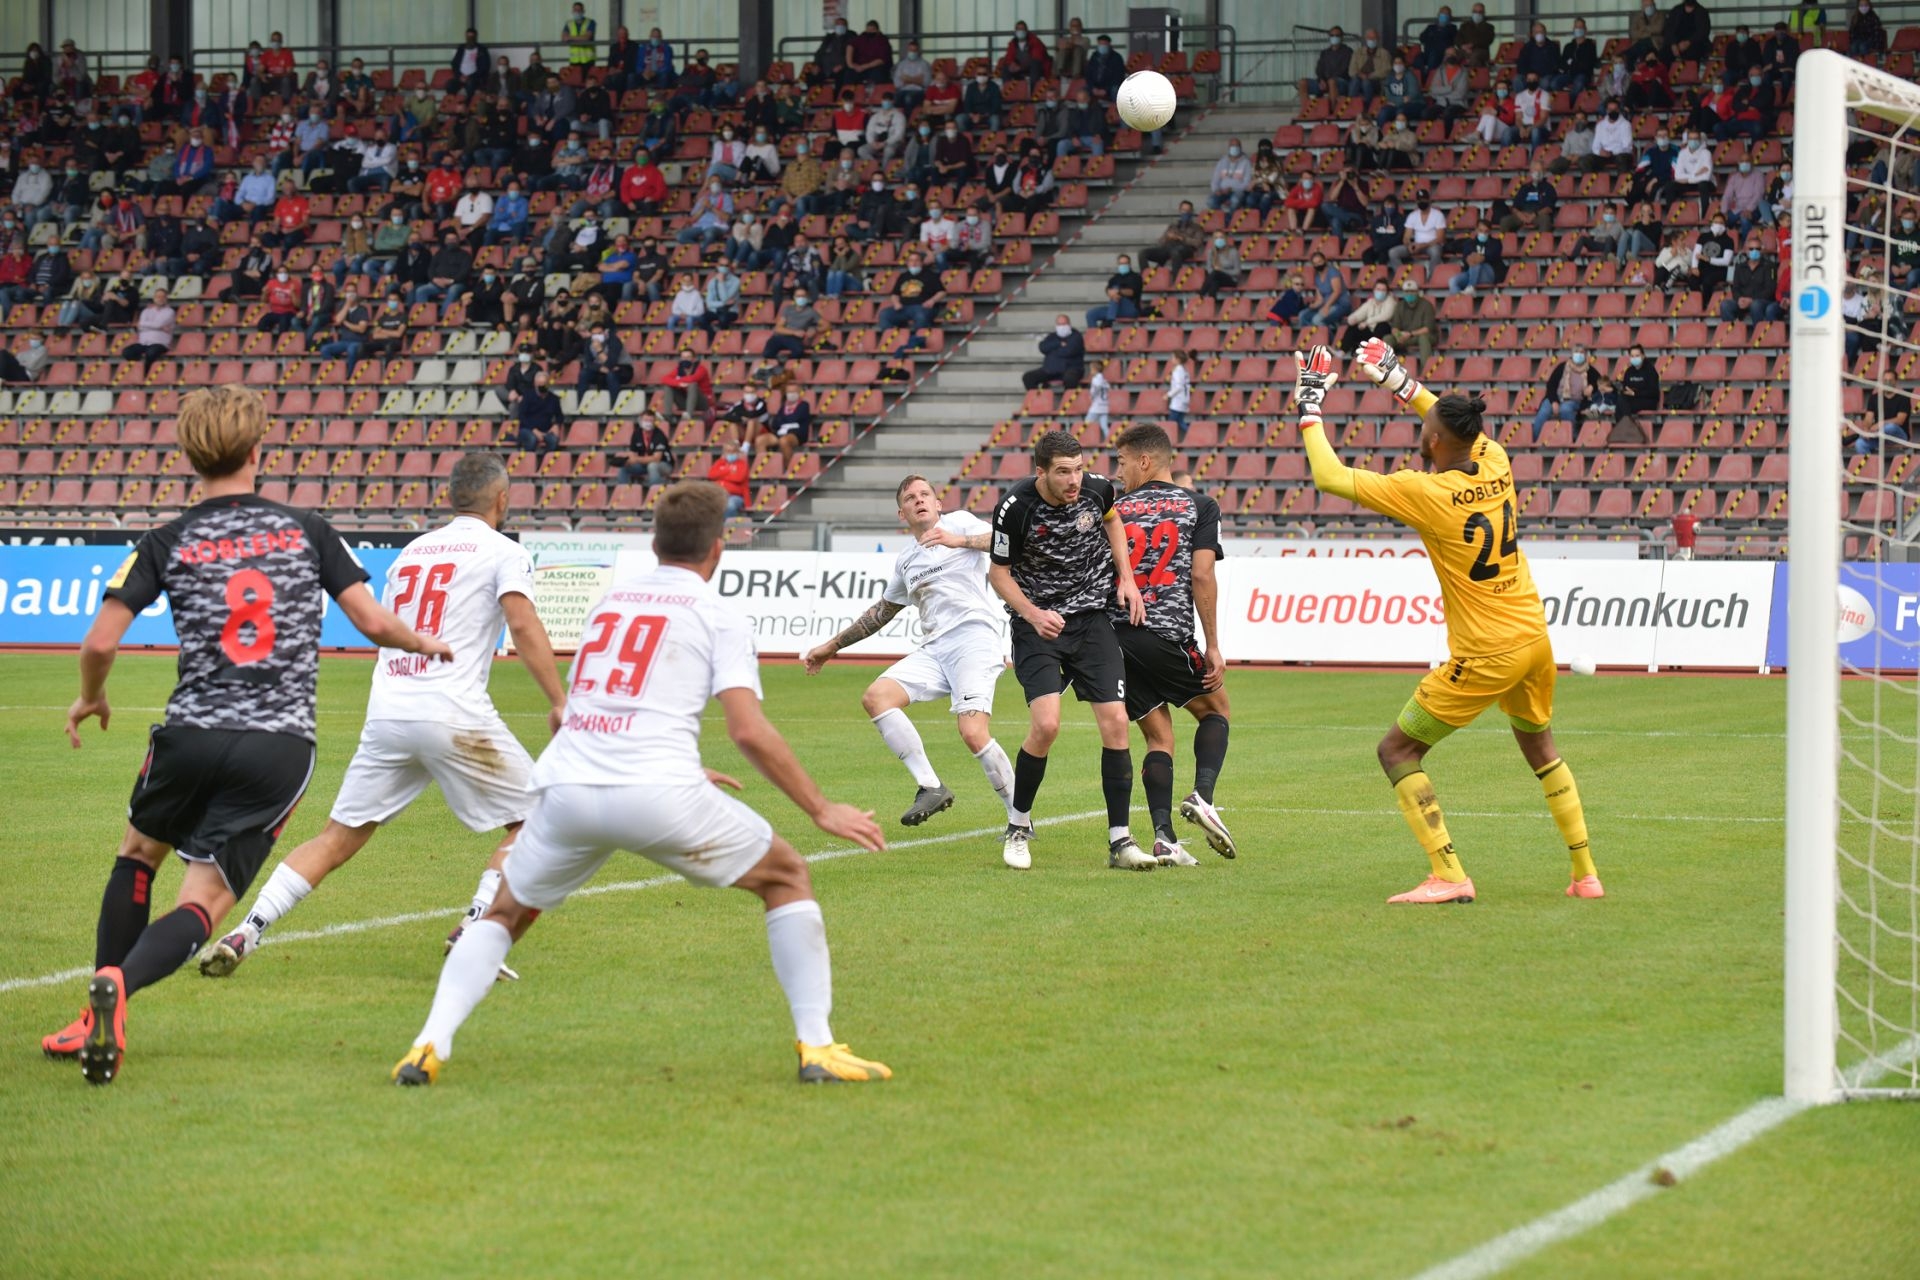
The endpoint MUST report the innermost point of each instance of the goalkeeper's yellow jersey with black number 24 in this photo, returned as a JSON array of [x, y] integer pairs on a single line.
[[1468, 525]]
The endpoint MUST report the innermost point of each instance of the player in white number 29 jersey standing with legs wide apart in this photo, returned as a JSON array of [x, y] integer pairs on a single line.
[[625, 772]]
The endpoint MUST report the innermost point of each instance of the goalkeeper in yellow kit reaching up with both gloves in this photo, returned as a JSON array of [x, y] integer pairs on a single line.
[[1462, 508]]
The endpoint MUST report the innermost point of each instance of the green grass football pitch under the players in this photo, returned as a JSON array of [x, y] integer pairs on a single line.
[[1243, 1070]]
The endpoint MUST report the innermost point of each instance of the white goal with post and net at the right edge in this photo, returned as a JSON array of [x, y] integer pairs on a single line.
[[1854, 588]]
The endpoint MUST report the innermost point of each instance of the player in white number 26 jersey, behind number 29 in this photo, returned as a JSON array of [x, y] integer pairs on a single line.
[[433, 723]]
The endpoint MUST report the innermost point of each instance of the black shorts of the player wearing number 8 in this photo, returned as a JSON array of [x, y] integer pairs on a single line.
[[220, 795]]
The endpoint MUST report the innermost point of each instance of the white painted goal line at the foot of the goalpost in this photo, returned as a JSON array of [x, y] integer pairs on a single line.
[[1683, 1164]]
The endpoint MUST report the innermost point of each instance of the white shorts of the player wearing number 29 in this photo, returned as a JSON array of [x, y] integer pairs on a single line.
[[688, 828]]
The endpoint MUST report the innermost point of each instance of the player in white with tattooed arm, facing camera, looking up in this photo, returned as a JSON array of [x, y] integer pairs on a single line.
[[944, 575]]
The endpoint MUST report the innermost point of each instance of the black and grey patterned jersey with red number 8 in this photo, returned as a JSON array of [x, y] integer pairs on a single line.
[[245, 581]]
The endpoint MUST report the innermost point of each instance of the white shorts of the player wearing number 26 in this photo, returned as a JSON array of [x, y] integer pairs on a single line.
[[485, 772]]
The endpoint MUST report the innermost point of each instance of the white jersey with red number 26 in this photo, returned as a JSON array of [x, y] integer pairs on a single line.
[[450, 584]]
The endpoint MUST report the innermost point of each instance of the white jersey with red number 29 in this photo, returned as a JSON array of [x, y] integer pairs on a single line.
[[656, 650]]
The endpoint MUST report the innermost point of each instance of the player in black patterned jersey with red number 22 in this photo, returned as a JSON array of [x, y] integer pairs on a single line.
[[1172, 544]]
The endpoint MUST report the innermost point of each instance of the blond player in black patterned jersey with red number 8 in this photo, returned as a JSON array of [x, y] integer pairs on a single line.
[[222, 776]]
